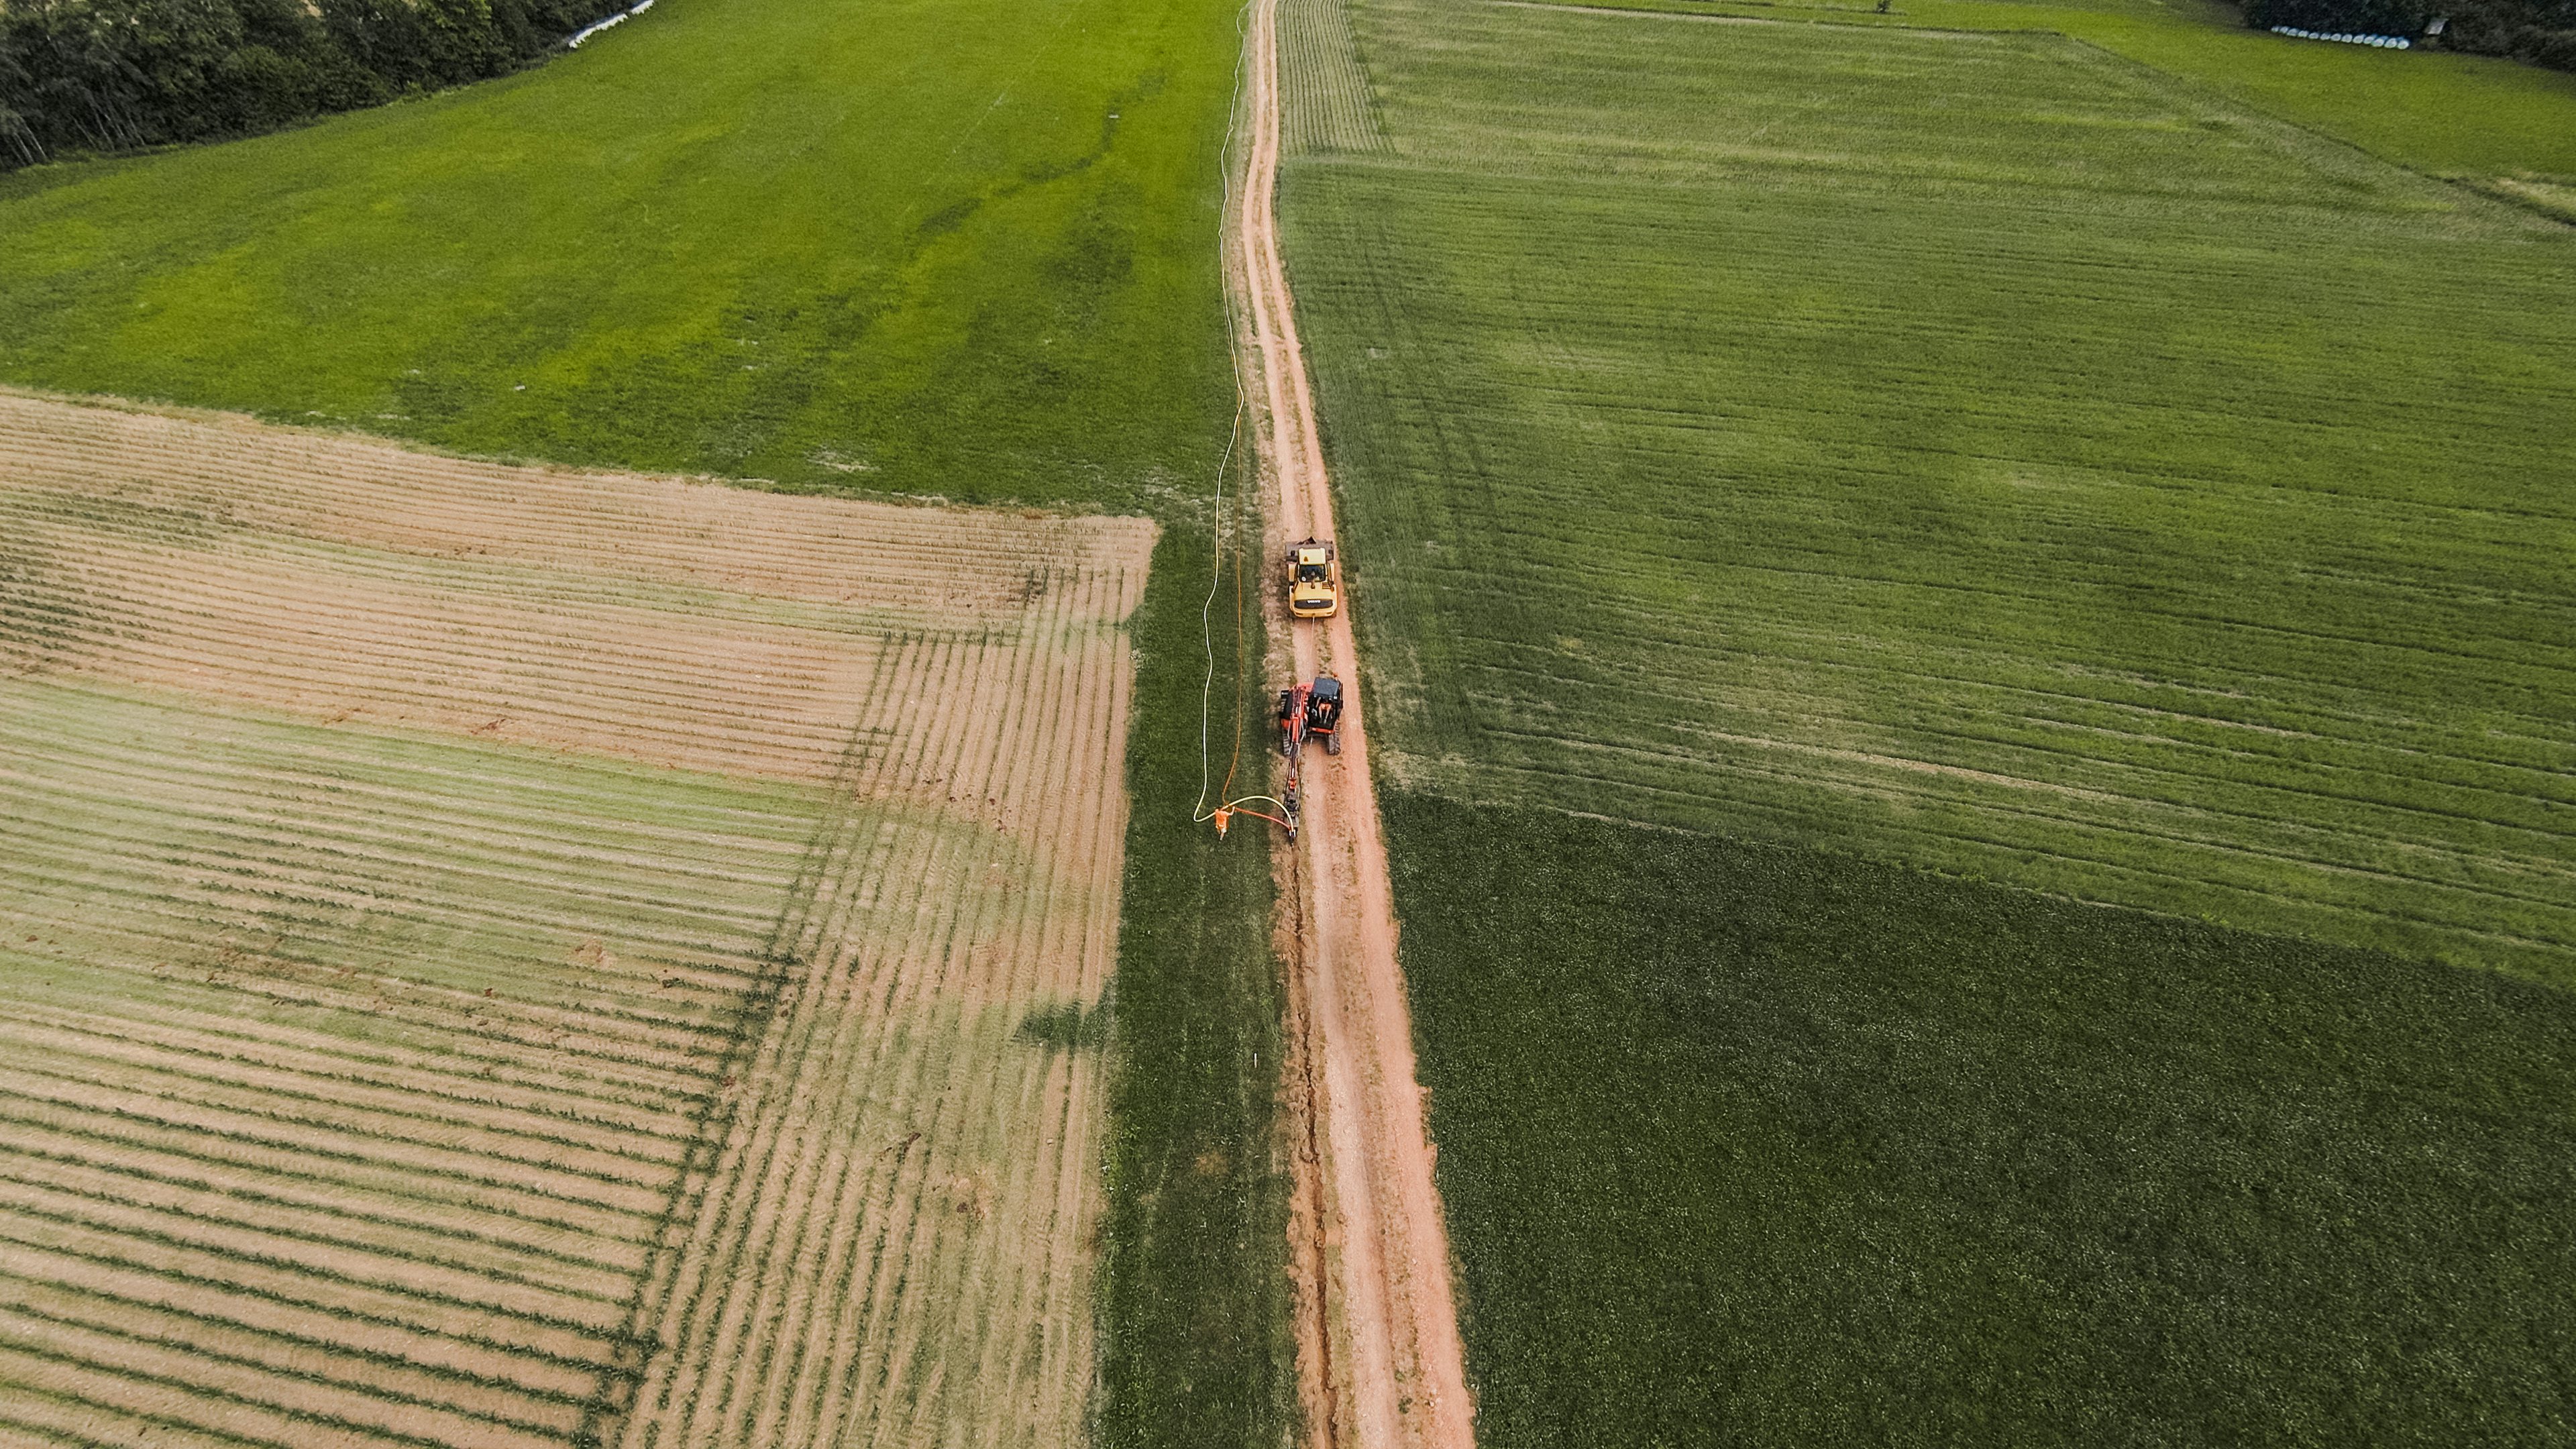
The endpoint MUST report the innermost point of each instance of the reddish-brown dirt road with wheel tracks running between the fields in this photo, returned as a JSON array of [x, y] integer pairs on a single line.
[[1379, 1352]]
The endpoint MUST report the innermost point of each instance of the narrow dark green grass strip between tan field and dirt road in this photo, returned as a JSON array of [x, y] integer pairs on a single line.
[[1197, 1293]]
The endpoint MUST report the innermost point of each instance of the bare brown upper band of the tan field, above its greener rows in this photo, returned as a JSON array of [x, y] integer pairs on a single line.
[[666, 620]]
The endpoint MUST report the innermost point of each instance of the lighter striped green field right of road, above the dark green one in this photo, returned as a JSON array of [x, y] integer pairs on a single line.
[[1954, 447]]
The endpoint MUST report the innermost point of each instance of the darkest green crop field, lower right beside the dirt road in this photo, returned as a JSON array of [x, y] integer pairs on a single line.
[[1774, 1146]]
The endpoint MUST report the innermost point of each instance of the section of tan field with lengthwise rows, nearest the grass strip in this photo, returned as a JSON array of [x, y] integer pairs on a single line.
[[918, 1115]]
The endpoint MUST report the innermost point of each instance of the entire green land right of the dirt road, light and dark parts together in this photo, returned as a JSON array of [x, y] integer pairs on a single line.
[[1823, 452]]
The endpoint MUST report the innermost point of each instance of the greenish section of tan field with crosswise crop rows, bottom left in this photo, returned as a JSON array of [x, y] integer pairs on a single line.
[[367, 1200]]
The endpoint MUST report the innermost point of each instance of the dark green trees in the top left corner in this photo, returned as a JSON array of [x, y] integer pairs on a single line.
[[107, 76]]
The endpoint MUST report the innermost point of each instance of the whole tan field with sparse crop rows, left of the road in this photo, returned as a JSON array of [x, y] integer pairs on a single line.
[[527, 958]]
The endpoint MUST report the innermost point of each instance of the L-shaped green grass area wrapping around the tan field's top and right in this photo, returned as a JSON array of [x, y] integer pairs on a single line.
[[882, 249]]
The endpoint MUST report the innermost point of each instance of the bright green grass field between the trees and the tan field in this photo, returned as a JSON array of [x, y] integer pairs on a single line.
[[895, 246]]
